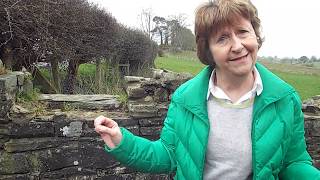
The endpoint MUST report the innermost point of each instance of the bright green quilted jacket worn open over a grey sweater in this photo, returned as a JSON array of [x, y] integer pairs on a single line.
[[278, 144]]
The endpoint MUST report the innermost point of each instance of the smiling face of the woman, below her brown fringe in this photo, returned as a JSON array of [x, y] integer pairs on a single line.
[[234, 48]]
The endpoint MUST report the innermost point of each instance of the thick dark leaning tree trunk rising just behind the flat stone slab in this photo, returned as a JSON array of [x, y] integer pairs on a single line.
[[70, 80]]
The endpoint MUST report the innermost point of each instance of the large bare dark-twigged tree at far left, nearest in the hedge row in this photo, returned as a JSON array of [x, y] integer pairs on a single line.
[[54, 31]]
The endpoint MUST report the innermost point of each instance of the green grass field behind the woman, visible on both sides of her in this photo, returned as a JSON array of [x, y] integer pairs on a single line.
[[304, 79]]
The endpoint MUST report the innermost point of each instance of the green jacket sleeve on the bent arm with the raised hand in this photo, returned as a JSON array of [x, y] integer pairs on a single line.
[[145, 155]]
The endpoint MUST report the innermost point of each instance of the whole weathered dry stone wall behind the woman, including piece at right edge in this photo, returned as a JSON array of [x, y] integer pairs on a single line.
[[59, 144]]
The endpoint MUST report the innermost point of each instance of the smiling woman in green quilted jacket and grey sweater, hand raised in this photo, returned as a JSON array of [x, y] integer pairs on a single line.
[[234, 120]]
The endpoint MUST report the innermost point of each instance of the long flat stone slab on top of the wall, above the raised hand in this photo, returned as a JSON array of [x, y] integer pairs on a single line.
[[87, 102]]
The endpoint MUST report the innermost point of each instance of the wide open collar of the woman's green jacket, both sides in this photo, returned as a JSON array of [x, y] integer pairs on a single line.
[[192, 95]]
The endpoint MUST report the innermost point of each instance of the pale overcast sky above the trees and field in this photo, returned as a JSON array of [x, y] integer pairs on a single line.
[[291, 27]]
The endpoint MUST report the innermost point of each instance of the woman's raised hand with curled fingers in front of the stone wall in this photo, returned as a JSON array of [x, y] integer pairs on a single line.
[[108, 130]]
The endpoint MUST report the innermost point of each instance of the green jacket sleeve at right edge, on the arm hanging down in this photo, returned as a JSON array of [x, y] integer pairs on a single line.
[[297, 162]]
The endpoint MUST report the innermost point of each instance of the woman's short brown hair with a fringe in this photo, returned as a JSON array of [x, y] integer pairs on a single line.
[[212, 15]]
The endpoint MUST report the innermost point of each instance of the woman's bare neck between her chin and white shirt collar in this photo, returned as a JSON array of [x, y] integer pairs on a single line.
[[234, 86]]
